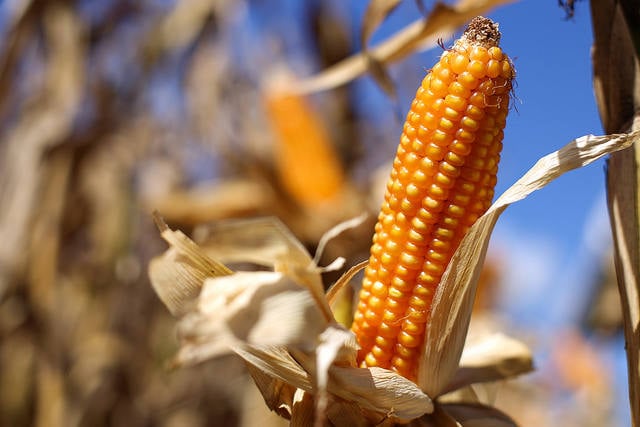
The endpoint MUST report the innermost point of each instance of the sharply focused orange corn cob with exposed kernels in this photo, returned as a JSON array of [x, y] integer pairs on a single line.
[[442, 180]]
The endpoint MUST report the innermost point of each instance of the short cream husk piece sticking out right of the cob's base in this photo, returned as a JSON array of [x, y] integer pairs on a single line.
[[494, 358]]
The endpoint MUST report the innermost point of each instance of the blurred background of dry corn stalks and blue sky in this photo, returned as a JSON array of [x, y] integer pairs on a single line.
[[112, 109]]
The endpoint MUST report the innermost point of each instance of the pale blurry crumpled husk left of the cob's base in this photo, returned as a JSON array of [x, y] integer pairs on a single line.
[[257, 308]]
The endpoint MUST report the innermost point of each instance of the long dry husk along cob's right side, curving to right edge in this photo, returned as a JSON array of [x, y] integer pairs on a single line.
[[447, 329]]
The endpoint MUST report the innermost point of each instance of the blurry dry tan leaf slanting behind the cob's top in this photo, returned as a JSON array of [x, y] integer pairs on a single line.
[[422, 34]]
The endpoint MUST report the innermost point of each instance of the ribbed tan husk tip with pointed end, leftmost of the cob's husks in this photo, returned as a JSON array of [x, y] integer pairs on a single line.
[[178, 275]]
